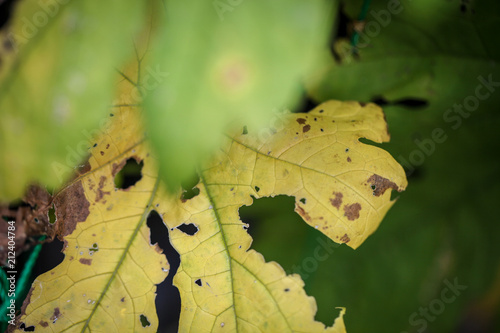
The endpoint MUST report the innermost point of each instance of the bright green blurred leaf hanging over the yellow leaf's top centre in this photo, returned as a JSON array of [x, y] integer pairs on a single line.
[[227, 61]]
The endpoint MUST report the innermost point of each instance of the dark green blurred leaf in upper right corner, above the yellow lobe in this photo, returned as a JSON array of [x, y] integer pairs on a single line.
[[422, 49]]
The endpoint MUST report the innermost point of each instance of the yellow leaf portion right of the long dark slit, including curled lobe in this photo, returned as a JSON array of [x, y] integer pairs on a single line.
[[315, 157]]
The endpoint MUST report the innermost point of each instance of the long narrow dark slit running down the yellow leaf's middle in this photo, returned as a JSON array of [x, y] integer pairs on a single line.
[[168, 300]]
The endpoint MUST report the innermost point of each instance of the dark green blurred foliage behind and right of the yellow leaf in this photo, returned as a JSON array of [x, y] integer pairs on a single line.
[[417, 59]]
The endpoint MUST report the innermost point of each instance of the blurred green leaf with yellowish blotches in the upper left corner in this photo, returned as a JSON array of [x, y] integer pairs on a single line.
[[56, 81]]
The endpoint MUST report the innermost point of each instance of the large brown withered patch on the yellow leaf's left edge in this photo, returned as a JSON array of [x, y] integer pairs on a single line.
[[71, 207]]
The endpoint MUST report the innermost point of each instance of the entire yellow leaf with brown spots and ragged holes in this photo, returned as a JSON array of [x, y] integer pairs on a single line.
[[107, 279]]
